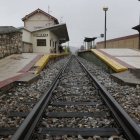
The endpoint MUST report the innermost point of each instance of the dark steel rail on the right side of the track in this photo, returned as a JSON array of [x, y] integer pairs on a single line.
[[130, 128]]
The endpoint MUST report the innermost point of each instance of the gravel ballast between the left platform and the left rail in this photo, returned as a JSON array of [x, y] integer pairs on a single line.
[[22, 98]]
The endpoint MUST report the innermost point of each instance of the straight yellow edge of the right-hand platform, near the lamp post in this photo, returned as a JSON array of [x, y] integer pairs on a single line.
[[117, 67]]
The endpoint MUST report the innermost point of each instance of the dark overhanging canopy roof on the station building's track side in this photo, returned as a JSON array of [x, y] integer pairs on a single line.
[[60, 30]]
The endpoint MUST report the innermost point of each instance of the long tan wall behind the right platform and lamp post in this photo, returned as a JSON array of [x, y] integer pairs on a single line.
[[130, 41]]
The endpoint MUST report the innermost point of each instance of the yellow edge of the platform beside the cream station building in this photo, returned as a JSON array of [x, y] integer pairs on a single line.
[[43, 61]]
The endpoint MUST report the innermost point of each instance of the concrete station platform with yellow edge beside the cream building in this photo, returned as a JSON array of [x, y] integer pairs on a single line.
[[23, 68]]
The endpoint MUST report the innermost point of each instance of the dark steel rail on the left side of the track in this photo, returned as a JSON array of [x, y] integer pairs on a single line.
[[24, 132]]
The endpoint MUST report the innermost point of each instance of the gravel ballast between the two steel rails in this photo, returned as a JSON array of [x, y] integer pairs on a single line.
[[75, 86]]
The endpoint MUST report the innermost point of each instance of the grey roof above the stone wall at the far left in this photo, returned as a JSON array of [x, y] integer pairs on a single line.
[[8, 29]]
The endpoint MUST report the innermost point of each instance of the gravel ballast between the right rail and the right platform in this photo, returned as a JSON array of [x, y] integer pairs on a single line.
[[127, 96]]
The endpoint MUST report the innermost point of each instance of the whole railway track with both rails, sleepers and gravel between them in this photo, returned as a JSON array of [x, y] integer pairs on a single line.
[[77, 106]]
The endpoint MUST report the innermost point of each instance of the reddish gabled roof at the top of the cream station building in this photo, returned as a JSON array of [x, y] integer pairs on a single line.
[[40, 11]]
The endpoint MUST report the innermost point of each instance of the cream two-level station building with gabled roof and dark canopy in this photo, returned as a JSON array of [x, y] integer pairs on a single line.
[[43, 33]]
